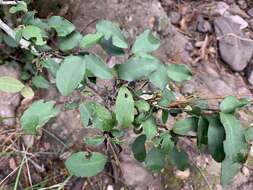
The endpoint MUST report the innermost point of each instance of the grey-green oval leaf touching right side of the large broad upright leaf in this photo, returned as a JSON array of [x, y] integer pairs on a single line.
[[98, 67]]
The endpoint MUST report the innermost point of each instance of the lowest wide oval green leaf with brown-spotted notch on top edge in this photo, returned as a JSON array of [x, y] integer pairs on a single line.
[[80, 164]]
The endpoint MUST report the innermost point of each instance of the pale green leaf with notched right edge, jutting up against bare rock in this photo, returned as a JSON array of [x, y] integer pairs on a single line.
[[145, 43]]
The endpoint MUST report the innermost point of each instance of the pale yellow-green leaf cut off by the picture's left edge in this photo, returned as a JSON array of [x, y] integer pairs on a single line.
[[10, 84]]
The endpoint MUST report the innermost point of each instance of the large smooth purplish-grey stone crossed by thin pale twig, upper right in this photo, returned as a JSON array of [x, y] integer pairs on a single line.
[[234, 51]]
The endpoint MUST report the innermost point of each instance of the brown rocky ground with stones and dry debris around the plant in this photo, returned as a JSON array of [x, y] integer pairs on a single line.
[[215, 38]]
